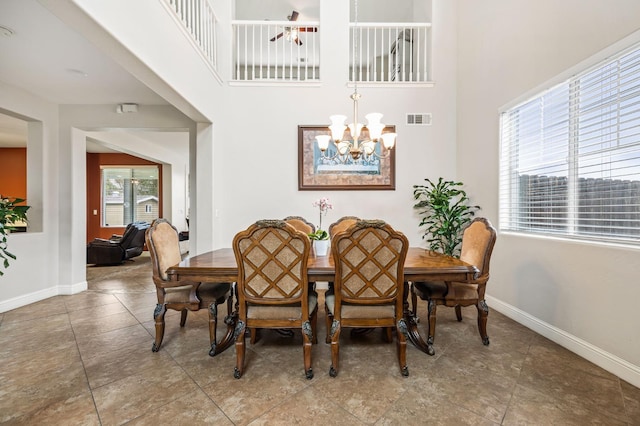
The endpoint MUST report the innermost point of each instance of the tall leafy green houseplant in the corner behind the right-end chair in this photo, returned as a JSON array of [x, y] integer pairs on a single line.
[[445, 211]]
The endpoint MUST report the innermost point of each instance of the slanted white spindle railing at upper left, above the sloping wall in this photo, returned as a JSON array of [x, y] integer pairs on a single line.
[[200, 21]]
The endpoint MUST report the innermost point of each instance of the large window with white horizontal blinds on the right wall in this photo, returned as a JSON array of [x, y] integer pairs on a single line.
[[570, 156]]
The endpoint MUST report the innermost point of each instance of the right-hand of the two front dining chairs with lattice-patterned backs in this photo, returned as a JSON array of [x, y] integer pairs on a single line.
[[369, 283]]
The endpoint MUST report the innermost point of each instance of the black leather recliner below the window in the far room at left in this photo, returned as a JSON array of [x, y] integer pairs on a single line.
[[118, 249]]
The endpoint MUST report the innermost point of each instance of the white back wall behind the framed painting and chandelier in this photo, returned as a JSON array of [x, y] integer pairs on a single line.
[[256, 161]]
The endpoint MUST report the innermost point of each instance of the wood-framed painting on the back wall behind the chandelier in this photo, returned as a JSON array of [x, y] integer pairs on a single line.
[[327, 172]]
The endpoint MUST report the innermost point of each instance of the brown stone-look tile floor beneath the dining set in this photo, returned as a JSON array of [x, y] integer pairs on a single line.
[[86, 360]]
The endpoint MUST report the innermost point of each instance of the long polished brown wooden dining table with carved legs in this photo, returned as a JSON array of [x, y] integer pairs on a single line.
[[420, 265]]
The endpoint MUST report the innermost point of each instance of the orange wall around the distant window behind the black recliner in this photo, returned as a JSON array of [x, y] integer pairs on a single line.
[[94, 161]]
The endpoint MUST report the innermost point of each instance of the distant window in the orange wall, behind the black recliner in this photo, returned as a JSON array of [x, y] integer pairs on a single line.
[[129, 194]]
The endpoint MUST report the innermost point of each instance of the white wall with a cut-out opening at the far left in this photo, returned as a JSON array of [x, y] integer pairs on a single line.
[[33, 275]]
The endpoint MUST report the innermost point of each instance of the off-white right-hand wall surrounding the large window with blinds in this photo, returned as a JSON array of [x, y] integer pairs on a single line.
[[582, 296]]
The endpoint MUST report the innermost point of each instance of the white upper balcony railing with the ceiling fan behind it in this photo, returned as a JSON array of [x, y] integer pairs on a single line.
[[260, 57]]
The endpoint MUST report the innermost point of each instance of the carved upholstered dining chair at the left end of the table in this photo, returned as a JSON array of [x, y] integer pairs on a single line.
[[184, 296]]
